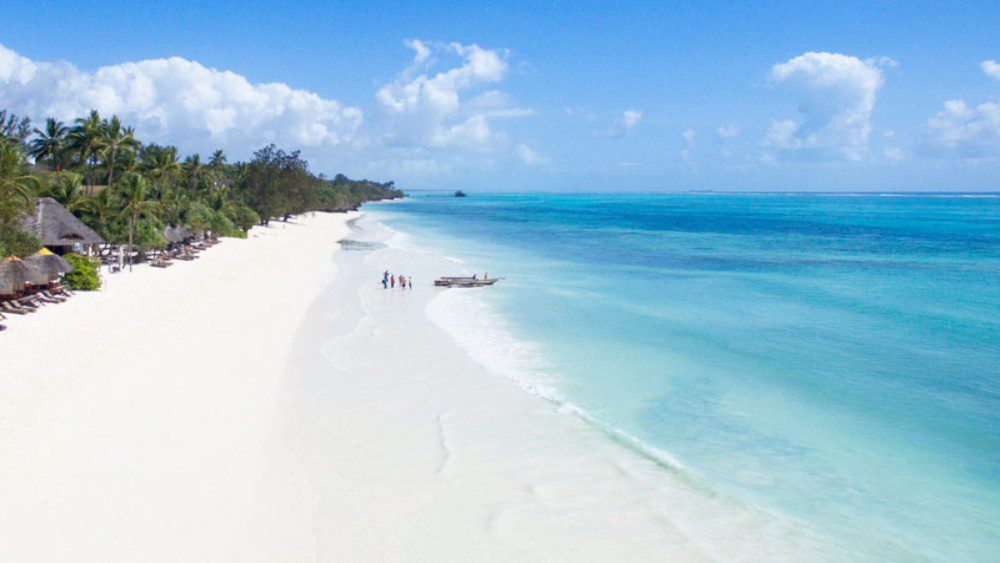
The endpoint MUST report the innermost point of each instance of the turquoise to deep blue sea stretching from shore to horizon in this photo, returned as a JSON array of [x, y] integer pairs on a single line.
[[831, 358]]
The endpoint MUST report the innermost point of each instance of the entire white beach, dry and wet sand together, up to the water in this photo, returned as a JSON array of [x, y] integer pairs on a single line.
[[267, 402]]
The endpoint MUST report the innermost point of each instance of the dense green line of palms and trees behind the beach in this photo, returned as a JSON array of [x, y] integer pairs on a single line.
[[129, 191]]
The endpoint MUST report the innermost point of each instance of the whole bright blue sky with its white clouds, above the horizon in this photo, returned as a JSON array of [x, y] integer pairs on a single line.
[[562, 96]]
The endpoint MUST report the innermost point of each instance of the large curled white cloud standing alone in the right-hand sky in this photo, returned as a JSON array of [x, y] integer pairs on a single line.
[[836, 97]]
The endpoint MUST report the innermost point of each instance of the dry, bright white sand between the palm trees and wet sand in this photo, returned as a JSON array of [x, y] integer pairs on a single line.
[[136, 423]]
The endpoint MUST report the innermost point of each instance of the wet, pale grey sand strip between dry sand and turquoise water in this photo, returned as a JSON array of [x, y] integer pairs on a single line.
[[383, 393]]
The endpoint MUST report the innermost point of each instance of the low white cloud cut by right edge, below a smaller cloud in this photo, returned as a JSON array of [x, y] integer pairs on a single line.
[[970, 132]]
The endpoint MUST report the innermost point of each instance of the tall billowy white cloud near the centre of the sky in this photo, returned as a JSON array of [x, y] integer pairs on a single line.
[[449, 108]]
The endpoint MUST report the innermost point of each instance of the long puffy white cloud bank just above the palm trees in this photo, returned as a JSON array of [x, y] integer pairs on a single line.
[[178, 101]]
